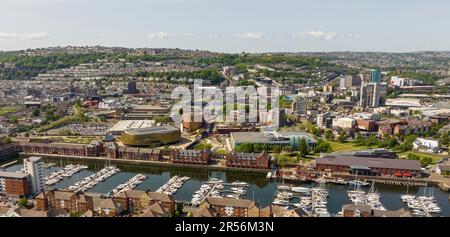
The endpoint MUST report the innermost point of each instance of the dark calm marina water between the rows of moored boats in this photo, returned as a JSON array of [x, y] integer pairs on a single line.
[[260, 190]]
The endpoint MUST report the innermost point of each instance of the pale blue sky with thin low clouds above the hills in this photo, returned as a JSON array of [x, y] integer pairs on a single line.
[[229, 25]]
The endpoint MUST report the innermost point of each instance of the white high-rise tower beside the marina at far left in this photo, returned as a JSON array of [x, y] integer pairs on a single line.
[[34, 168]]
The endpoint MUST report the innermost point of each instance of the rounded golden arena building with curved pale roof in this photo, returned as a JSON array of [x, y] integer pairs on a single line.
[[151, 137]]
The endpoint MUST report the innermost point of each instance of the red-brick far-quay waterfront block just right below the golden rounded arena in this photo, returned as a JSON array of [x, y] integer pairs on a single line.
[[192, 157]]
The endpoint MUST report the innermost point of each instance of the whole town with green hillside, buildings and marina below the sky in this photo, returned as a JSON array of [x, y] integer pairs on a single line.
[[89, 131]]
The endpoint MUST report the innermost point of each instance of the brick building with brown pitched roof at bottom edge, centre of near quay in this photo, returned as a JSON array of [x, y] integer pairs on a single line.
[[230, 207]]
